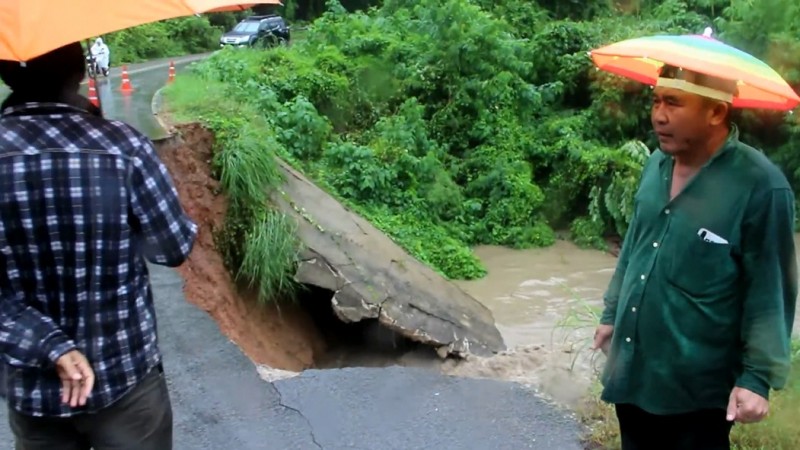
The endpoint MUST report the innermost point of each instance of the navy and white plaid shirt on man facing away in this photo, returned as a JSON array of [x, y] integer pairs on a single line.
[[83, 202]]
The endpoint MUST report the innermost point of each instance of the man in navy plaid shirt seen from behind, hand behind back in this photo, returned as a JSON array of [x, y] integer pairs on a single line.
[[83, 202]]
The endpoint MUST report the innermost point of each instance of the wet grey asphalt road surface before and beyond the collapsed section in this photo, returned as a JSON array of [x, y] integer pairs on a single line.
[[220, 401]]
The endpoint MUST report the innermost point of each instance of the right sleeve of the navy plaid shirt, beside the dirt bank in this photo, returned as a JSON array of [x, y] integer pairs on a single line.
[[168, 231]]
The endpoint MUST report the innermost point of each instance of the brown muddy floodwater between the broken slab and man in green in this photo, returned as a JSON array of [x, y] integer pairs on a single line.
[[545, 303]]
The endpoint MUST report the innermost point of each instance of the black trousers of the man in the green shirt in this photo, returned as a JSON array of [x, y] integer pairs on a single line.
[[700, 430]]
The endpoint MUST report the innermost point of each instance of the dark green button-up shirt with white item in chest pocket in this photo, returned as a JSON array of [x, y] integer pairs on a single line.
[[695, 316]]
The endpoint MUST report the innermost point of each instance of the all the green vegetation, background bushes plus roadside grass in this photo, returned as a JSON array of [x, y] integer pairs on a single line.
[[452, 123]]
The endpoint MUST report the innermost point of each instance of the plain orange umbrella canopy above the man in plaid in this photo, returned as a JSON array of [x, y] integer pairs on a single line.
[[29, 28]]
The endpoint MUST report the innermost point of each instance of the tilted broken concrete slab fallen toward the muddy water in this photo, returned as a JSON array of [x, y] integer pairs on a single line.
[[374, 278]]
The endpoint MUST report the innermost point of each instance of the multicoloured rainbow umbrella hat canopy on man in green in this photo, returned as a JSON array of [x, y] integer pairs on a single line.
[[641, 59]]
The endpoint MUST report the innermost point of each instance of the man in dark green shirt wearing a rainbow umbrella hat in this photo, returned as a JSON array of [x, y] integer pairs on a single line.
[[699, 313]]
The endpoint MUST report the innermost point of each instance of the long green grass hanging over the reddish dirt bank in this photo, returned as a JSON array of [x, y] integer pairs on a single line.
[[258, 243]]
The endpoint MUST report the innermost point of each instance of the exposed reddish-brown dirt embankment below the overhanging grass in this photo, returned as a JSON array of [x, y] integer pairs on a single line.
[[283, 339]]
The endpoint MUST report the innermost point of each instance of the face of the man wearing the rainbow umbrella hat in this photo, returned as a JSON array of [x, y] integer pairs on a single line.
[[680, 119]]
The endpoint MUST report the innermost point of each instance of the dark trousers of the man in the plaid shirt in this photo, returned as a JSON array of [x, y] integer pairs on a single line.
[[141, 420]]
